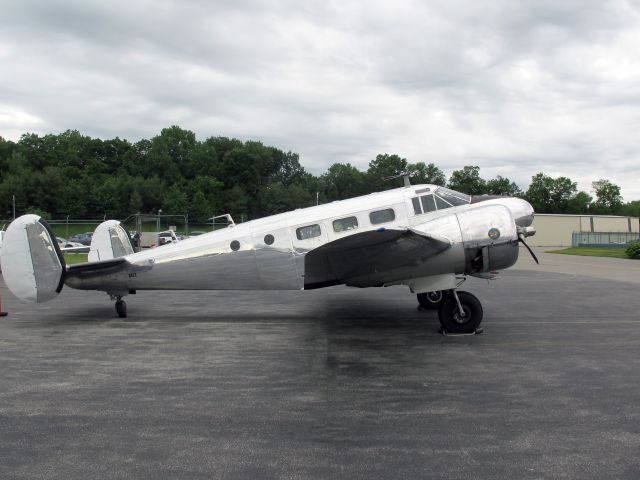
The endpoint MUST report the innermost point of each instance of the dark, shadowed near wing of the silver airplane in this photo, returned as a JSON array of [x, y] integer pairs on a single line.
[[369, 254]]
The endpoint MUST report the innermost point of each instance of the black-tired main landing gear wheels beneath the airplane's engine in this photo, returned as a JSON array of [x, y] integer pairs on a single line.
[[459, 312]]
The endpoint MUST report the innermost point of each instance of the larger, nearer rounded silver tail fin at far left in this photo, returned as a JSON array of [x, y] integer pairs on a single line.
[[32, 265]]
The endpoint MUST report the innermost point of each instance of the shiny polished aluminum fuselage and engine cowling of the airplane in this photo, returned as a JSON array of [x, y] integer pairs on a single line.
[[267, 254]]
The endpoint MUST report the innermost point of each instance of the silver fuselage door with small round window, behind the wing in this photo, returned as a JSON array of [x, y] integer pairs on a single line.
[[274, 256]]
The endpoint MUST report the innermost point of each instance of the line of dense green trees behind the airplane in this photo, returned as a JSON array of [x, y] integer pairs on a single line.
[[70, 174]]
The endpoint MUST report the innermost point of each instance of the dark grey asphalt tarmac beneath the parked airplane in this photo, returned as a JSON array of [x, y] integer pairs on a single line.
[[332, 383]]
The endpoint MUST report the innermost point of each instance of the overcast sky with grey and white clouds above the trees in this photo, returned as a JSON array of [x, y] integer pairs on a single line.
[[515, 87]]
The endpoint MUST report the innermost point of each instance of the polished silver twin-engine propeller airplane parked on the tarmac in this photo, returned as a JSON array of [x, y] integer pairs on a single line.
[[424, 236]]
